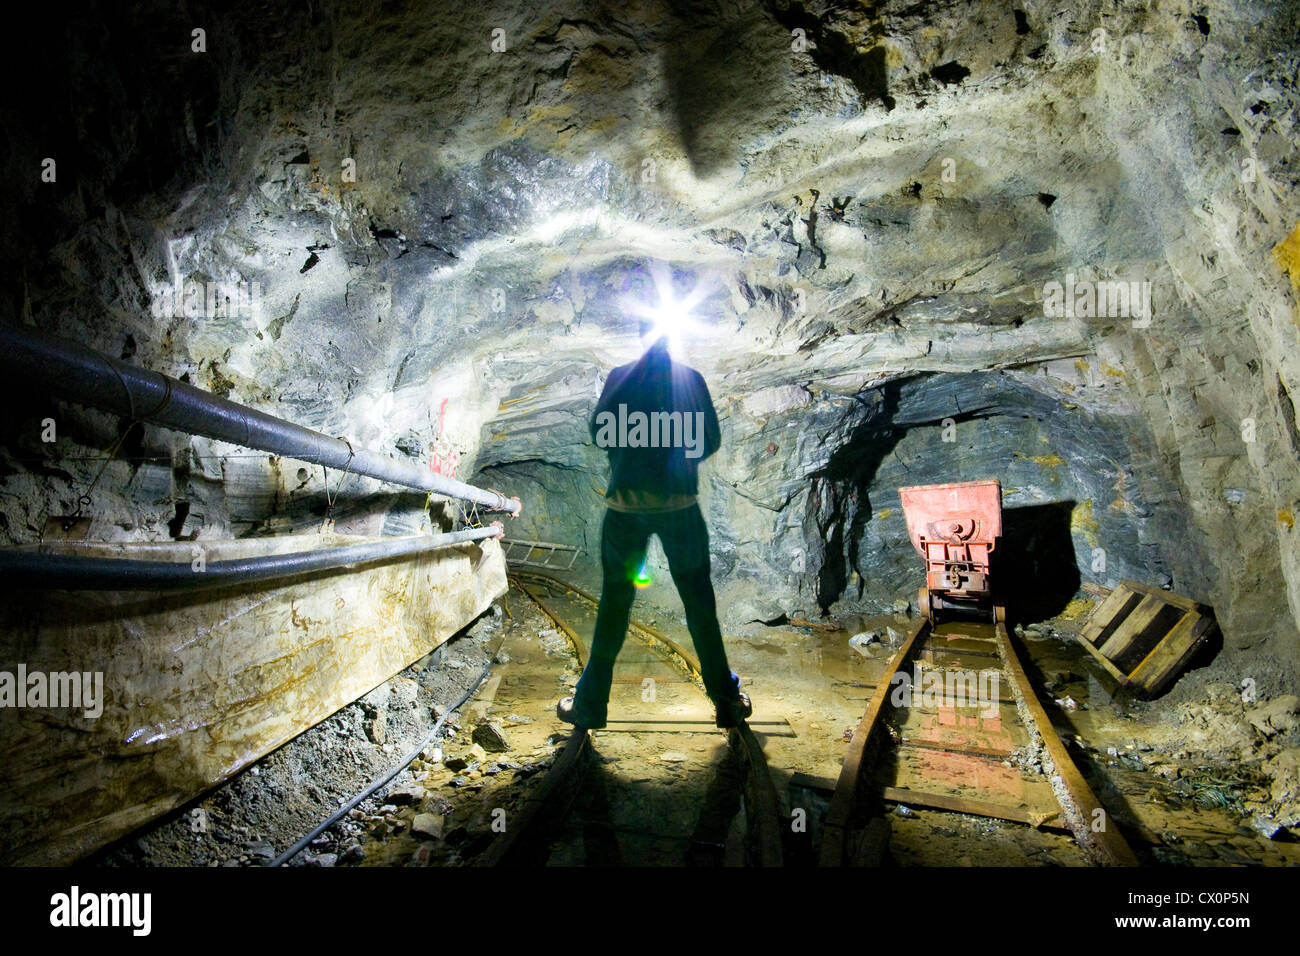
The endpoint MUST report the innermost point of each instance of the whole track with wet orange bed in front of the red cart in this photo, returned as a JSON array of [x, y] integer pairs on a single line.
[[925, 741]]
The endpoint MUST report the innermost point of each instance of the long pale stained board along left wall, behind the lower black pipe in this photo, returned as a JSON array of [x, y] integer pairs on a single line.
[[198, 686]]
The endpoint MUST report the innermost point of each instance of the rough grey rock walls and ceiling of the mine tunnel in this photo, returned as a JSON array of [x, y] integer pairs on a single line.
[[876, 197]]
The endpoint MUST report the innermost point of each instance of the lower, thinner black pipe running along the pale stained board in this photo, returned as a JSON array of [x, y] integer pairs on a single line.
[[40, 570]]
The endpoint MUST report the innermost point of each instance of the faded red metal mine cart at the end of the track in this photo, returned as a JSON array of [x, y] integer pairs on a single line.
[[955, 529]]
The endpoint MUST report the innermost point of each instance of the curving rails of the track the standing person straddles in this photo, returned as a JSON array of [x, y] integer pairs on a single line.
[[547, 803]]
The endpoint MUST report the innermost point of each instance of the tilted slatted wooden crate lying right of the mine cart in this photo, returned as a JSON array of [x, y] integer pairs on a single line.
[[1145, 637]]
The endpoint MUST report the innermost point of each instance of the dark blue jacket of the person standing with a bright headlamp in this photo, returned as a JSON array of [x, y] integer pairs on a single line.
[[657, 384]]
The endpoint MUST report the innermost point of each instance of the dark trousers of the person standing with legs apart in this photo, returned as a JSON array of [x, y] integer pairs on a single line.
[[625, 538]]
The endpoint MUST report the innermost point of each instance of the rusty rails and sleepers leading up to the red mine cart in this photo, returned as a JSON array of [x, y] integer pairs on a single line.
[[848, 836]]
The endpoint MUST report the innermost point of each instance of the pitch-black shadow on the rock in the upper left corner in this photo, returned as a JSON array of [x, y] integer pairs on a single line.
[[122, 106]]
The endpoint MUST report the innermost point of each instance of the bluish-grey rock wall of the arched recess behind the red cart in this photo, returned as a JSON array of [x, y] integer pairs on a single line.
[[1077, 488]]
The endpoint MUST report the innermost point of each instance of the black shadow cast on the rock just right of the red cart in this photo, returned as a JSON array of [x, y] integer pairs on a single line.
[[1035, 572]]
